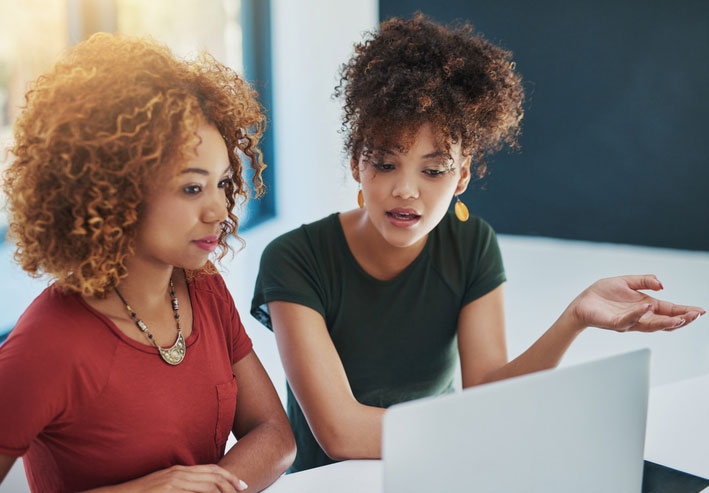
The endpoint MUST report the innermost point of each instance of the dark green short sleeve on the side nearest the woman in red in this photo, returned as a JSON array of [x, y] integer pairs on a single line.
[[289, 271]]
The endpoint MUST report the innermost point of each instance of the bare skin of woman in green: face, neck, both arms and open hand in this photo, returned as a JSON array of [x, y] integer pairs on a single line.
[[346, 429]]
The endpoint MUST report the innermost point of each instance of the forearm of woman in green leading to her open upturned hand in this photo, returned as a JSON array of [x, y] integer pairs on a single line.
[[544, 354]]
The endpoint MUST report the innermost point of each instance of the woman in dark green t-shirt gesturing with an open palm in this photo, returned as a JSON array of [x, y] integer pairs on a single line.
[[376, 305]]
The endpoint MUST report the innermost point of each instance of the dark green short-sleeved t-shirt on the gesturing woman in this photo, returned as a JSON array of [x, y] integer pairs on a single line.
[[397, 338]]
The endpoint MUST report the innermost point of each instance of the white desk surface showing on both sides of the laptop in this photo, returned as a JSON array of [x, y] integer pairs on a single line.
[[677, 437]]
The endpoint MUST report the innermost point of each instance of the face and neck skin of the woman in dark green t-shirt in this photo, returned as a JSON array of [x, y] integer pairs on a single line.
[[422, 179]]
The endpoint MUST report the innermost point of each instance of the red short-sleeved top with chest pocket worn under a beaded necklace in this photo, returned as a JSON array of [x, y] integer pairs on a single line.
[[89, 407]]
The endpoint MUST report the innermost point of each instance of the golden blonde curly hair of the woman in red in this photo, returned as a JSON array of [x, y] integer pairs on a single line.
[[95, 132]]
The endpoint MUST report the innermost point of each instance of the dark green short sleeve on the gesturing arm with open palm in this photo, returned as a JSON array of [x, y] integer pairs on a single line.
[[486, 270]]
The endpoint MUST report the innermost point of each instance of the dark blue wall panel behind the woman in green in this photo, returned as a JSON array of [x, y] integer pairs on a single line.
[[616, 130]]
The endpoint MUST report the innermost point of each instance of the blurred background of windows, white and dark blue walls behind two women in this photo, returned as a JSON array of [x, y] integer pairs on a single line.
[[610, 178]]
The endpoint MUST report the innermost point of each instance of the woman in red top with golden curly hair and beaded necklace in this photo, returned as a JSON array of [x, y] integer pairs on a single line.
[[123, 374]]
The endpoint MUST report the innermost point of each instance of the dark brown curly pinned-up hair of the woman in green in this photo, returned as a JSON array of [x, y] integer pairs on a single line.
[[414, 71]]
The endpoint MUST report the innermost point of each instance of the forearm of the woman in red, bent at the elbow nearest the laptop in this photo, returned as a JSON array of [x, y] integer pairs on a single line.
[[262, 455]]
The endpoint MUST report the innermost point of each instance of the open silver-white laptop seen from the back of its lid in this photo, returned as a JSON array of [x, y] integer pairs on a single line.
[[573, 429]]
